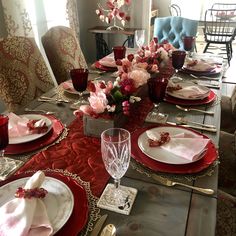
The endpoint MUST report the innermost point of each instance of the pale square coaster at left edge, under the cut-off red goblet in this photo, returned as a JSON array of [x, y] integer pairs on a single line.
[[8, 167]]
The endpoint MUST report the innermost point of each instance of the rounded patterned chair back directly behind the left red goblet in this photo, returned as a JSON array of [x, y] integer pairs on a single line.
[[63, 51]]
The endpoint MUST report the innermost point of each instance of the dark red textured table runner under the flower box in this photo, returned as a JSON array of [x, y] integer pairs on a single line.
[[80, 154]]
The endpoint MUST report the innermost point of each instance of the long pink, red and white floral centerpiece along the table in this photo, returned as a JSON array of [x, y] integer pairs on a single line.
[[109, 100]]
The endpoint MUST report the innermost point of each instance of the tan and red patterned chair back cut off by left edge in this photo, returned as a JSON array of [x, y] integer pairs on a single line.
[[23, 72]]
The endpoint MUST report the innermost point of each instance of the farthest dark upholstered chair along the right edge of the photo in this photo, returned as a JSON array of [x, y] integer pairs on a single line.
[[228, 113]]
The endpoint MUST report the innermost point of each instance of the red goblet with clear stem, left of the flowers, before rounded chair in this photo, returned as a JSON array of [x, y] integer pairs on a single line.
[[79, 79]]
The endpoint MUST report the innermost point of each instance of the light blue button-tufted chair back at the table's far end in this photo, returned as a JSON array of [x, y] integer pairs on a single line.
[[173, 28]]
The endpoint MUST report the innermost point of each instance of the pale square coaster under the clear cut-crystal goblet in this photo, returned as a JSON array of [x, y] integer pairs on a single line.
[[126, 197]]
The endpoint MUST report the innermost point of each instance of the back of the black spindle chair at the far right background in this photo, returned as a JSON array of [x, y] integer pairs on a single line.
[[219, 26]]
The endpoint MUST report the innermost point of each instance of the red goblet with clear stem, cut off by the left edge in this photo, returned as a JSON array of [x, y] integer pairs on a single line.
[[4, 141]]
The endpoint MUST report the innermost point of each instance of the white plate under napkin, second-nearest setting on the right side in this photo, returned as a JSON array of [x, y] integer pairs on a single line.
[[186, 84]]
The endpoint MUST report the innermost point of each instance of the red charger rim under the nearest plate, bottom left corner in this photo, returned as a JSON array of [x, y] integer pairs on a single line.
[[79, 215]]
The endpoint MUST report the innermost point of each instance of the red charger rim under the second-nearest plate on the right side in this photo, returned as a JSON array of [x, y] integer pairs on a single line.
[[211, 97]]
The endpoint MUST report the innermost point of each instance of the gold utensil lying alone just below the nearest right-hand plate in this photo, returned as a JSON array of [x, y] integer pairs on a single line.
[[171, 183]]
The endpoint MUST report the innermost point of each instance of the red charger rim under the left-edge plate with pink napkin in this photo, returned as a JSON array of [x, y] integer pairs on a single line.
[[55, 132]]
